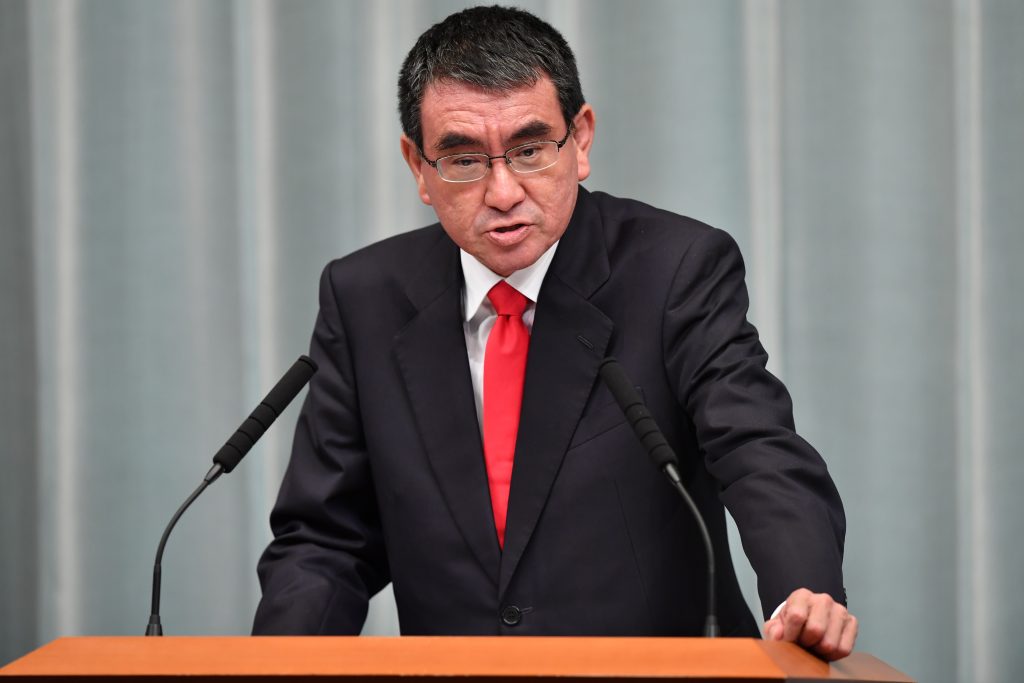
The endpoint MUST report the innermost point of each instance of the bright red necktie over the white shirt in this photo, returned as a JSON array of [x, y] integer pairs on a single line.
[[504, 370]]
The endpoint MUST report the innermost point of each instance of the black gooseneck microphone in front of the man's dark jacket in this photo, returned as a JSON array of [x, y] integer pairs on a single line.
[[654, 441]]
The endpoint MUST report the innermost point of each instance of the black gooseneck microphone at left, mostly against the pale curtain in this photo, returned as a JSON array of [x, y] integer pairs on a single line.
[[231, 455]]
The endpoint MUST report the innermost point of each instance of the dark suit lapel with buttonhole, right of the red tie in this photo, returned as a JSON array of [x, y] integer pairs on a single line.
[[567, 347]]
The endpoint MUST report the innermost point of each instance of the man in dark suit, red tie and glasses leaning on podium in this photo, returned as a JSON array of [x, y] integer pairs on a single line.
[[458, 441]]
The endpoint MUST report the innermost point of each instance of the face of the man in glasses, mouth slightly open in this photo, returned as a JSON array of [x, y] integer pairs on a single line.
[[506, 221]]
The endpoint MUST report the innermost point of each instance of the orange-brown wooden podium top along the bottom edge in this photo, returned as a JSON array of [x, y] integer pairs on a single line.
[[436, 659]]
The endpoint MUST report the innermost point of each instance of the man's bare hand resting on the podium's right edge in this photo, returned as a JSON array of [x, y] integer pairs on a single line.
[[816, 622]]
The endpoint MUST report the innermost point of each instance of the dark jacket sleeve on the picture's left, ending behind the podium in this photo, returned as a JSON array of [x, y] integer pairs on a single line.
[[327, 559]]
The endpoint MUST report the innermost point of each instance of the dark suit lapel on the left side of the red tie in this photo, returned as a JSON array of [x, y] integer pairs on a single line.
[[432, 354]]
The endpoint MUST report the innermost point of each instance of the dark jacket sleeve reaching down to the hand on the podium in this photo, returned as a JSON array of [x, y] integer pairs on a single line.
[[774, 483]]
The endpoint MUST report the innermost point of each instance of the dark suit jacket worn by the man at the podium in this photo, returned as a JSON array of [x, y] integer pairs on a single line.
[[388, 482]]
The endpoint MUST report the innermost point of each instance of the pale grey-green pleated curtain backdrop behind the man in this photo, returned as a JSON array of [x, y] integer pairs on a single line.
[[174, 177]]
